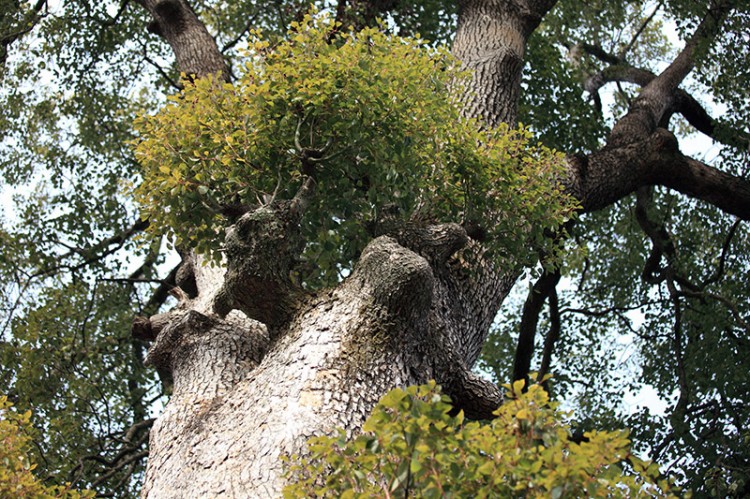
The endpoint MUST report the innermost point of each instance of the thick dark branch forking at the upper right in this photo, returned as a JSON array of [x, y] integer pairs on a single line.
[[638, 153]]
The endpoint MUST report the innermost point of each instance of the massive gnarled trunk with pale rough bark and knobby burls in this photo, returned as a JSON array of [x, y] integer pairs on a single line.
[[259, 366]]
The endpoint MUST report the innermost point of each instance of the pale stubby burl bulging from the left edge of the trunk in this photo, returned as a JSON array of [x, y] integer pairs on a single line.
[[205, 355]]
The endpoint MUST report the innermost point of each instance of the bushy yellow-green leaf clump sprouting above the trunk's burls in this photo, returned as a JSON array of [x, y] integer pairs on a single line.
[[375, 112]]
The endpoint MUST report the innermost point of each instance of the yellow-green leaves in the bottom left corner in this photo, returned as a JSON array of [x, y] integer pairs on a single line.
[[16, 468]]
